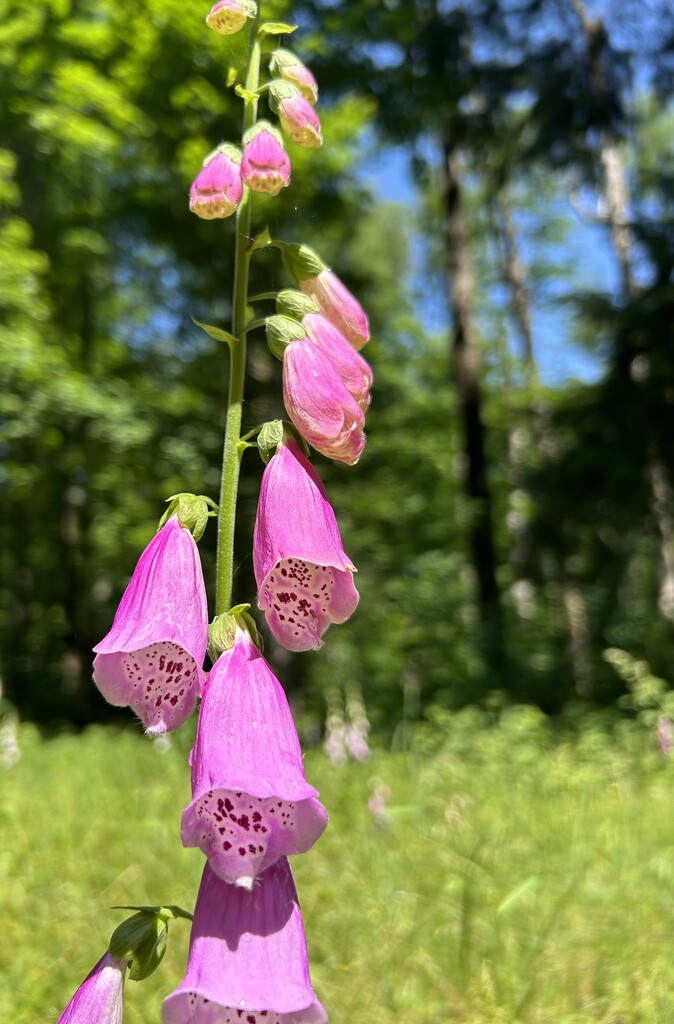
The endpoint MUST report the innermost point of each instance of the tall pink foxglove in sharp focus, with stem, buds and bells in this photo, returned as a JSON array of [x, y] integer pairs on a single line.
[[251, 803]]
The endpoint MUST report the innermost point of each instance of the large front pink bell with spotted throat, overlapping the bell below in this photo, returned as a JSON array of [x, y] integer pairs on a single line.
[[251, 802]]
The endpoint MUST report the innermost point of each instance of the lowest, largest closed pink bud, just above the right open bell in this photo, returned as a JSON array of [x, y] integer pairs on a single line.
[[319, 404]]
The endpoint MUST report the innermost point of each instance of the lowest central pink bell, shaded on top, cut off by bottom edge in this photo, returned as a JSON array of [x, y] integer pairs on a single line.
[[247, 962]]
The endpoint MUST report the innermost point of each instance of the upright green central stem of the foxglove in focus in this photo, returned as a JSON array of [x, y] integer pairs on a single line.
[[233, 448]]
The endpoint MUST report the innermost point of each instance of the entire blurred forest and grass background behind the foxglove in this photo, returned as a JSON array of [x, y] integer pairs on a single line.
[[497, 187]]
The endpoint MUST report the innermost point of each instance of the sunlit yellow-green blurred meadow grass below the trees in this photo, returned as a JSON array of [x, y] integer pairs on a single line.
[[521, 878]]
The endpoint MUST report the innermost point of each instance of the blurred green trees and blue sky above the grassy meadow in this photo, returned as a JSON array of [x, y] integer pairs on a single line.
[[497, 187]]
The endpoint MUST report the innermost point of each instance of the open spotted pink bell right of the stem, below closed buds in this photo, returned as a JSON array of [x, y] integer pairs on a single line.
[[305, 579]]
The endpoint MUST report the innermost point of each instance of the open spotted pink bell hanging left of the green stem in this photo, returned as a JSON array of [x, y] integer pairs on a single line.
[[152, 658]]
